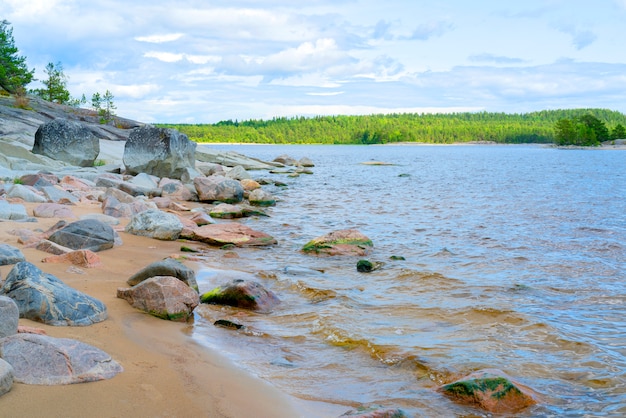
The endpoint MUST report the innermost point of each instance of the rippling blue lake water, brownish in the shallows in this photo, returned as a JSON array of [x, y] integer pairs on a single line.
[[514, 258]]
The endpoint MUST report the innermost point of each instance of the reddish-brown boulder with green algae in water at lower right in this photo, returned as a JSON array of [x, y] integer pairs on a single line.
[[491, 390]]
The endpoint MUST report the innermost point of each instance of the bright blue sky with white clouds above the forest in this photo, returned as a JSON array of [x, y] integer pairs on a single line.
[[202, 61]]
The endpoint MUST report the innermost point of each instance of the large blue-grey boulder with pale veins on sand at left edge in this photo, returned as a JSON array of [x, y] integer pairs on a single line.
[[44, 298]]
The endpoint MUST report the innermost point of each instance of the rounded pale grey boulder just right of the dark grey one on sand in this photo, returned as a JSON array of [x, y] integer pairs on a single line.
[[155, 223]]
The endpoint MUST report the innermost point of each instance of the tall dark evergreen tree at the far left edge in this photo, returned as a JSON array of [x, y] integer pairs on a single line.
[[13, 70]]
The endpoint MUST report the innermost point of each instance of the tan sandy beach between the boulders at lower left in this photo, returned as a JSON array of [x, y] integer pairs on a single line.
[[166, 374]]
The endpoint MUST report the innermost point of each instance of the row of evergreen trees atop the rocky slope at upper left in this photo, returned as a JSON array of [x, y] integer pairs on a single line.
[[15, 76]]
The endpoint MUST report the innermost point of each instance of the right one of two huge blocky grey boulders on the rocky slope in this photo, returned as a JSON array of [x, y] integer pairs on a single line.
[[159, 151]]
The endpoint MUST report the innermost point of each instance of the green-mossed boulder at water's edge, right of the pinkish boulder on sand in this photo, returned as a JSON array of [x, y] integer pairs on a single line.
[[244, 294]]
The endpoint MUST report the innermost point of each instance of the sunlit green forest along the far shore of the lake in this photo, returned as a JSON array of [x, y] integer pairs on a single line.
[[535, 127]]
